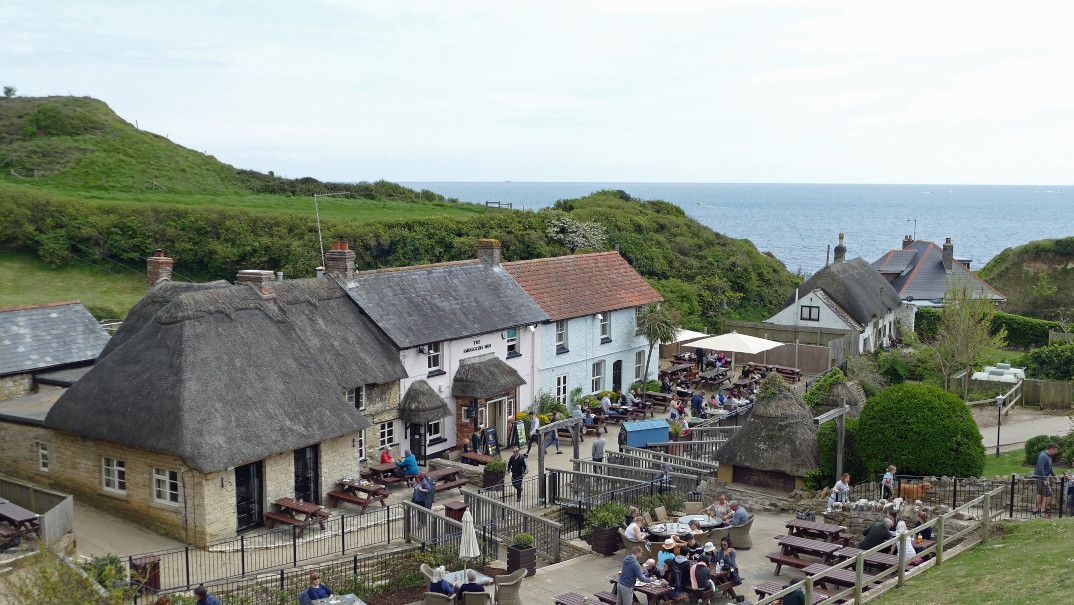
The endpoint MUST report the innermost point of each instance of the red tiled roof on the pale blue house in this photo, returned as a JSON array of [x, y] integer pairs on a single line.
[[573, 286]]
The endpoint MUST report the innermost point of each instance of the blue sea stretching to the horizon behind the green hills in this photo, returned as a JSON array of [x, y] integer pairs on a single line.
[[799, 223]]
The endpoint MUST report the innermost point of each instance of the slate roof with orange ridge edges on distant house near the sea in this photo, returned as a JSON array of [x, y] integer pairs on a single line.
[[924, 278]]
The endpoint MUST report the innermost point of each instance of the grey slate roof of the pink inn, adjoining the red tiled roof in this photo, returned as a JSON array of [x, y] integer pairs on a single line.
[[423, 305]]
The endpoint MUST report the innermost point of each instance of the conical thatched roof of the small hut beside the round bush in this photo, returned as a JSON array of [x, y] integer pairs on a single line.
[[778, 436]]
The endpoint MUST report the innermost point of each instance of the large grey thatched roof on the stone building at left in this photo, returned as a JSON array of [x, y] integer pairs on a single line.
[[224, 377]]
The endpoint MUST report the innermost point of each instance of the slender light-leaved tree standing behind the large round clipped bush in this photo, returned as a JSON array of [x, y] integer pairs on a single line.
[[964, 337]]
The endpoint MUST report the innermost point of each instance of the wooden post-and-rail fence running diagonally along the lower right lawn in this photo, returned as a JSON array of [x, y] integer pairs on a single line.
[[991, 507]]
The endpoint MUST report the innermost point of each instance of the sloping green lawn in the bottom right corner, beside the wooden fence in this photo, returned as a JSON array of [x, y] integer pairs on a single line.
[[1031, 565]]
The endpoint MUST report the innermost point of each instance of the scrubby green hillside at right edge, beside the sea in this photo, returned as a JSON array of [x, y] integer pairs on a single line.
[[1037, 278]]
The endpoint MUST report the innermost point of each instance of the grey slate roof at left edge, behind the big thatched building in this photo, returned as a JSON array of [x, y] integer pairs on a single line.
[[48, 336]]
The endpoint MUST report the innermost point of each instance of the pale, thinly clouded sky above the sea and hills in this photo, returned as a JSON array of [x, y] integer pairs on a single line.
[[580, 91]]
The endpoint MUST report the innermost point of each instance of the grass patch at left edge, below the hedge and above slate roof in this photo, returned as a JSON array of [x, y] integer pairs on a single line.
[[25, 280]]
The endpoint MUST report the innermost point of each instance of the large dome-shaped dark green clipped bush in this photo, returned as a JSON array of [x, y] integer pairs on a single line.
[[922, 430]]
